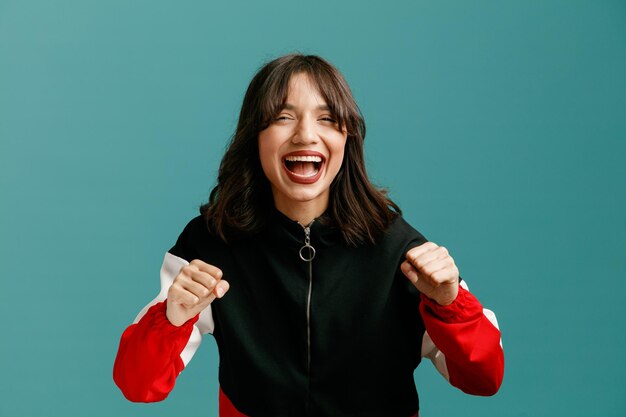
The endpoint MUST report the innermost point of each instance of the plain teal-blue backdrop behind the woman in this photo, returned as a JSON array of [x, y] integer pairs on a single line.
[[498, 126]]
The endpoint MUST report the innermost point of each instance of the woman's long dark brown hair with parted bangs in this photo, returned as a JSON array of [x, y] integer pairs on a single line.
[[242, 199]]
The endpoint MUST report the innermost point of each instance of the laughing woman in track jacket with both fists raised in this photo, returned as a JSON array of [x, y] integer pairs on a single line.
[[321, 298]]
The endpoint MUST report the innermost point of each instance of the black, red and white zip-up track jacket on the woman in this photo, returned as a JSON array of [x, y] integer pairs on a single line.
[[336, 335]]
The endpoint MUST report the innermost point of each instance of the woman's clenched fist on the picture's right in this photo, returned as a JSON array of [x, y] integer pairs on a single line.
[[433, 272]]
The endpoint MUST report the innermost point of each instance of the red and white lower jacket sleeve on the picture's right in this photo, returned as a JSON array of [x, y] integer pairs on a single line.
[[463, 342]]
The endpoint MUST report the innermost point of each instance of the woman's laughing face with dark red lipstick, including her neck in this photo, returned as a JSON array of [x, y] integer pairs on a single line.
[[301, 151]]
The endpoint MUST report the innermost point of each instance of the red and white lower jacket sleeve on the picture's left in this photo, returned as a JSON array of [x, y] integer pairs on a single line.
[[152, 351]]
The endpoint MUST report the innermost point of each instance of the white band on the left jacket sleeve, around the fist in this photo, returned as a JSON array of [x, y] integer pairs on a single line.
[[171, 267]]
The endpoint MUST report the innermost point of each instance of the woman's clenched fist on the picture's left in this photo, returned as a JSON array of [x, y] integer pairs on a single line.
[[193, 289]]
